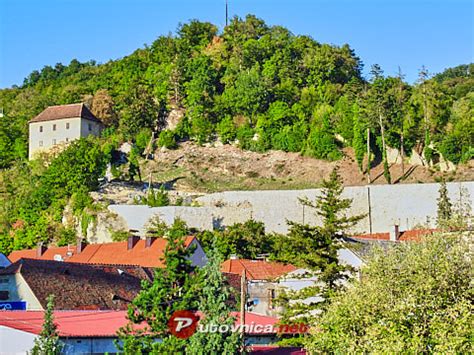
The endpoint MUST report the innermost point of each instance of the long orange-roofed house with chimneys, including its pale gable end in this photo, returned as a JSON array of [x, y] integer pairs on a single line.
[[134, 251]]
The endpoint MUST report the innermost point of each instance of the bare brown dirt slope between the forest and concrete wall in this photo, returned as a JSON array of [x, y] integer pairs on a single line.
[[210, 169]]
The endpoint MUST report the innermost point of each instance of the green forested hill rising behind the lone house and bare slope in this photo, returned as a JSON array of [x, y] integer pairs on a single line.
[[259, 84]]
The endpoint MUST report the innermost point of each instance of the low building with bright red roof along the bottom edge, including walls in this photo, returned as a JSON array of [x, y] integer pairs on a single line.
[[94, 332]]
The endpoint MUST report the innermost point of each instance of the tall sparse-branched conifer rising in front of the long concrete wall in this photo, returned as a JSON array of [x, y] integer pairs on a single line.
[[315, 249]]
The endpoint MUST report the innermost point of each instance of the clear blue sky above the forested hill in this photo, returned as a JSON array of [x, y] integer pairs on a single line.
[[409, 34]]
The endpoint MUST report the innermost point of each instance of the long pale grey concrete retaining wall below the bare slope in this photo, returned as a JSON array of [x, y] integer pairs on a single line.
[[384, 205]]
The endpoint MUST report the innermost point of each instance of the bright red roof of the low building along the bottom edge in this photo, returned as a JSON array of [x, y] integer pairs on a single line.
[[99, 323]]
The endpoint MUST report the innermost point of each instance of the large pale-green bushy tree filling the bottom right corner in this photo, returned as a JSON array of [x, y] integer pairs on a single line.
[[412, 298]]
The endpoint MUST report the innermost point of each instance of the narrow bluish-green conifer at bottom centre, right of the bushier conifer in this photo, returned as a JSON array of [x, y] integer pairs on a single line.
[[214, 303]]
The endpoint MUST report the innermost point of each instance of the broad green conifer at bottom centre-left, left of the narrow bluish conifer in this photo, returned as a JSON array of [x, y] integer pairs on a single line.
[[173, 289]]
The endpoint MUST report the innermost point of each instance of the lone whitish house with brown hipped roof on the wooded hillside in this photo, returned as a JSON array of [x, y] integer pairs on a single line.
[[59, 125]]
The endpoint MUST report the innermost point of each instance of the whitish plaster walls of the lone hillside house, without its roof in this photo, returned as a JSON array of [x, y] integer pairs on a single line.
[[43, 141]]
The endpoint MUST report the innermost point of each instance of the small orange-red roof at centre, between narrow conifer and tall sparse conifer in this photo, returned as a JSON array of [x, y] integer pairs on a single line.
[[257, 269]]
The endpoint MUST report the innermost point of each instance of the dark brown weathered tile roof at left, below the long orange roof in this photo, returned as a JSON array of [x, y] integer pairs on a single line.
[[81, 286]]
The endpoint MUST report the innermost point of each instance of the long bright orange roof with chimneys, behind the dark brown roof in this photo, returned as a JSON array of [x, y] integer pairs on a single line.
[[106, 253]]
